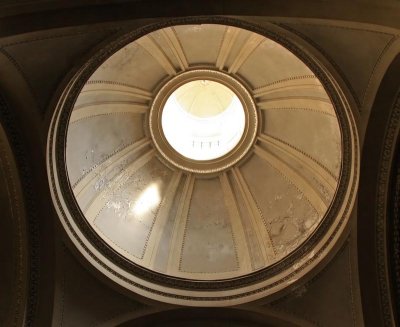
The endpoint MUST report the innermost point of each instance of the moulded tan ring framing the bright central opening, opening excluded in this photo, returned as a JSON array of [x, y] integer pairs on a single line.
[[208, 166]]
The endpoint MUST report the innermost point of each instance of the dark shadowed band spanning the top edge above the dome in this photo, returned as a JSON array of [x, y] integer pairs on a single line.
[[30, 16]]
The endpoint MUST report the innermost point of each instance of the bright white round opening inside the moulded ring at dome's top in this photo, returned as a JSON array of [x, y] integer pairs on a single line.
[[203, 120]]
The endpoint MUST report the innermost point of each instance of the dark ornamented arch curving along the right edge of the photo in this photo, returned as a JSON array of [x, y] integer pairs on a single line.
[[376, 164]]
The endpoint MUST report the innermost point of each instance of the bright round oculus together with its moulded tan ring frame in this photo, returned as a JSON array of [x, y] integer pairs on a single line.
[[203, 121]]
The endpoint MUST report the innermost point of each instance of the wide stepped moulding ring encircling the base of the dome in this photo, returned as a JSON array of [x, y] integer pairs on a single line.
[[191, 292]]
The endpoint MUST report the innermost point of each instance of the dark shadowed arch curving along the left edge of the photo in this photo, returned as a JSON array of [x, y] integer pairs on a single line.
[[13, 238]]
